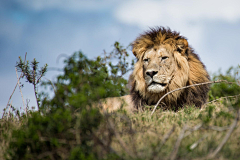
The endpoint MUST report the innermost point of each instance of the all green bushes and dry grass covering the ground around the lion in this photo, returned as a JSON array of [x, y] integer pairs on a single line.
[[69, 126]]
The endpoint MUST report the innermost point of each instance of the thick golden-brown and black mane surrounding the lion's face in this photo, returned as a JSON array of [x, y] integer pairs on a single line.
[[188, 70]]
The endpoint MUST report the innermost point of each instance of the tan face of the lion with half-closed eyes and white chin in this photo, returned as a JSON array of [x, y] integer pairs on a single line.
[[158, 69]]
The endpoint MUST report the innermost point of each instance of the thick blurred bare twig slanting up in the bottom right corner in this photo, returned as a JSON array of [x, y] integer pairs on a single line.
[[234, 124]]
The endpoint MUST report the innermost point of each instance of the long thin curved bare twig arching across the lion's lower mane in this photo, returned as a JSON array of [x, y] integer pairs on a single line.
[[199, 84]]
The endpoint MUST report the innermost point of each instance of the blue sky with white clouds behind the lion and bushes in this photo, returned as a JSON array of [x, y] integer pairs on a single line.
[[47, 29]]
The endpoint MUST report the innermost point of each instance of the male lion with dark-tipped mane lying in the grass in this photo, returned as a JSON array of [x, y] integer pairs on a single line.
[[165, 62]]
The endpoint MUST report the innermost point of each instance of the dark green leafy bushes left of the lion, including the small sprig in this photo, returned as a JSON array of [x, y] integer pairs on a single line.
[[67, 125]]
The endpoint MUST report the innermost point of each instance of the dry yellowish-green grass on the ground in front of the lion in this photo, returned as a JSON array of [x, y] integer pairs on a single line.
[[187, 134]]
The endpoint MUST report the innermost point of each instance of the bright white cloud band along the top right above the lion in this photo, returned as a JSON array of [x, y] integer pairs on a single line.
[[151, 13]]
